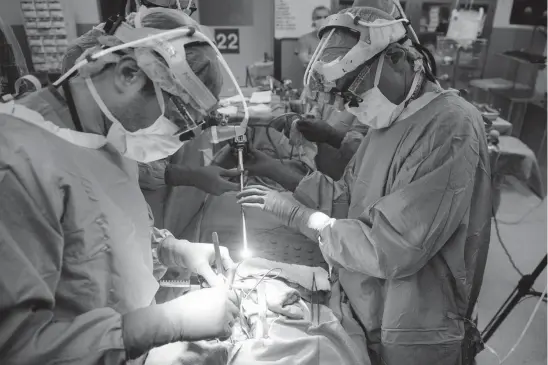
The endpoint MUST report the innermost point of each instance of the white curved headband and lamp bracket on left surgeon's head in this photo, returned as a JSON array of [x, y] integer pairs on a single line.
[[170, 46]]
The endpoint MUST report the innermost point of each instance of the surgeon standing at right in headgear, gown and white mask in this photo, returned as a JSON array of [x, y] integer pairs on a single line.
[[403, 226]]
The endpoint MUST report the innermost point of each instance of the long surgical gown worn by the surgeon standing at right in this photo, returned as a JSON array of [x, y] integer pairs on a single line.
[[412, 209]]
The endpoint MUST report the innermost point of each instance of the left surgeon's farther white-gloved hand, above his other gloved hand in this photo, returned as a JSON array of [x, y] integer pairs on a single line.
[[196, 257]]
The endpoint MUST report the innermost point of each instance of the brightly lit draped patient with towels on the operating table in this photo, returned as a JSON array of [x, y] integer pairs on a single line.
[[284, 319]]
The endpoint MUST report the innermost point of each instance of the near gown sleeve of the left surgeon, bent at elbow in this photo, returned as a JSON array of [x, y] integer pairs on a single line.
[[31, 255]]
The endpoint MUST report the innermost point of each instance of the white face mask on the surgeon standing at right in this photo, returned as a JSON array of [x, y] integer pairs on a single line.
[[376, 111]]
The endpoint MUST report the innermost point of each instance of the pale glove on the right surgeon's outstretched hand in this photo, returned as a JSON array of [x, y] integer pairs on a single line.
[[292, 213]]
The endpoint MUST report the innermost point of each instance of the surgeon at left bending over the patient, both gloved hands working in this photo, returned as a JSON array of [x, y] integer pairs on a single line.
[[79, 253]]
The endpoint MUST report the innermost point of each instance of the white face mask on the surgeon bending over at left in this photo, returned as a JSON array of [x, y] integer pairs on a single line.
[[153, 143]]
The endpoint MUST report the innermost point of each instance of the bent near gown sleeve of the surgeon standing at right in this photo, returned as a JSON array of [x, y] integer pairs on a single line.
[[426, 205]]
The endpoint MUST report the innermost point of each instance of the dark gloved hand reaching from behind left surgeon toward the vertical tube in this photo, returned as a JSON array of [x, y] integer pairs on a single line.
[[211, 179]]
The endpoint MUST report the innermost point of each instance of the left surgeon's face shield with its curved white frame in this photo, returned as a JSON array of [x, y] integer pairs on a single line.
[[186, 101]]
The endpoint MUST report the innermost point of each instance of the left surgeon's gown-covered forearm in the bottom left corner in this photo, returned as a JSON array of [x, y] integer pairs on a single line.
[[30, 335]]
